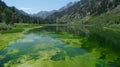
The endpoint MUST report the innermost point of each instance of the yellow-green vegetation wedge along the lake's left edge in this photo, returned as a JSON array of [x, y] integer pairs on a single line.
[[6, 36]]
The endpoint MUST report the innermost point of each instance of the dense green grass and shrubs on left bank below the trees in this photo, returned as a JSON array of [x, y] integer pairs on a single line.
[[19, 27]]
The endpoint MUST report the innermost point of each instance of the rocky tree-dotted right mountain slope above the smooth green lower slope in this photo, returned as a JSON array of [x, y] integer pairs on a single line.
[[83, 11]]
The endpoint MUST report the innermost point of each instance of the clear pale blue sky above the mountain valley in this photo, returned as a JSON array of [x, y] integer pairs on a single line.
[[34, 6]]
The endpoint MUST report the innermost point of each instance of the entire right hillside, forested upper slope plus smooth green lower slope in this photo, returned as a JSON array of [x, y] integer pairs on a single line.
[[89, 12]]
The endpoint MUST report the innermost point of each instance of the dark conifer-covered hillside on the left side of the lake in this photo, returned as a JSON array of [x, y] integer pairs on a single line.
[[11, 15]]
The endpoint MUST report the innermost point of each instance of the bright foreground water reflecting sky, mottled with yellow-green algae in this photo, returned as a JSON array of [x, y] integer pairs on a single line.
[[42, 48]]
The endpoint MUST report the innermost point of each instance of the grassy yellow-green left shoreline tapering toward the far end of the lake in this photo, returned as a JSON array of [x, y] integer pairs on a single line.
[[9, 35]]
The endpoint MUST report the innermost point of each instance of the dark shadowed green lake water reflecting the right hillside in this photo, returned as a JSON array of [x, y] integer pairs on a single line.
[[102, 42]]
